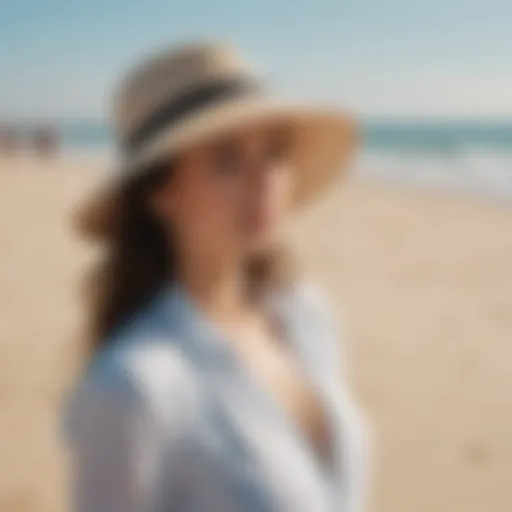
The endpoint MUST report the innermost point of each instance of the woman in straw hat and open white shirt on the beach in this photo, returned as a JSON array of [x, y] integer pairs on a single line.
[[213, 385]]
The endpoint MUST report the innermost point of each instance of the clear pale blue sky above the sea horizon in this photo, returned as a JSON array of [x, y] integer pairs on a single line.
[[380, 58]]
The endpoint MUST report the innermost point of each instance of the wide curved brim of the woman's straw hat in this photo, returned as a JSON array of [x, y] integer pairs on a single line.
[[323, 143]]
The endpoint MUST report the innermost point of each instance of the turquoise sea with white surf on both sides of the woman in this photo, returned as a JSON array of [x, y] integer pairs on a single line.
[[471, 156]]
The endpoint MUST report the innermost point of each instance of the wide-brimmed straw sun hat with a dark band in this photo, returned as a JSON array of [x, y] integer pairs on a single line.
[[187, 95]]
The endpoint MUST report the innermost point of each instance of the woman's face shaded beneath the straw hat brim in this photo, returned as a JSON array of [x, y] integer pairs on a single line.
[[227, 198]]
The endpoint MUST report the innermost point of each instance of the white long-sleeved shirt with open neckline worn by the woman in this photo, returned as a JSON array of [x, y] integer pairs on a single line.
[[167, 420]]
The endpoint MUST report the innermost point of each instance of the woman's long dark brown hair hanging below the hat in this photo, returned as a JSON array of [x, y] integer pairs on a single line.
[[140, 258]]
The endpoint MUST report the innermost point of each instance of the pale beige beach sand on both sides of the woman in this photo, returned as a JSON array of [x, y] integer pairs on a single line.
[[423, 281]]
